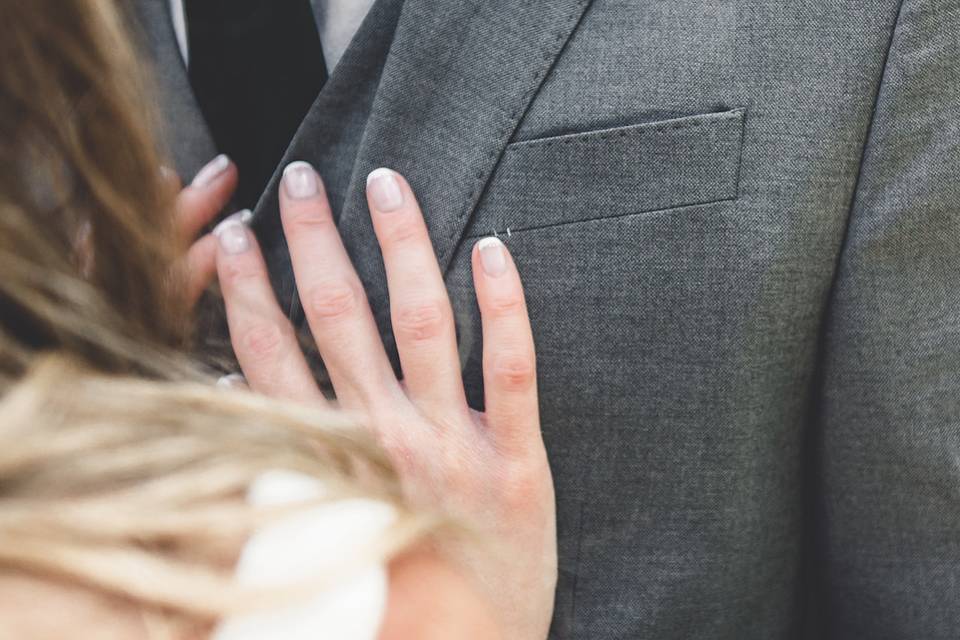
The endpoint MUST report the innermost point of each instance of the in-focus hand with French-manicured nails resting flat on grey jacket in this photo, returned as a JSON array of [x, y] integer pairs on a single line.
[[488, 469]]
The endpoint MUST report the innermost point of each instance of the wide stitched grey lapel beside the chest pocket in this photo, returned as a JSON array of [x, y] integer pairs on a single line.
[[457, 81]]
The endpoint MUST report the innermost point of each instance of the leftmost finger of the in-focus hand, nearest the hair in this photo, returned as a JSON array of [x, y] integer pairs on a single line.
[[261, 335]]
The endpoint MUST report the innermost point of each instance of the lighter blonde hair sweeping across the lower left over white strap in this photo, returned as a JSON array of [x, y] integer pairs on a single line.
[[136, 488]]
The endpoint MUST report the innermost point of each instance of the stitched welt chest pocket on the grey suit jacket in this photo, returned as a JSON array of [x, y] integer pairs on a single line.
[[608, 173]]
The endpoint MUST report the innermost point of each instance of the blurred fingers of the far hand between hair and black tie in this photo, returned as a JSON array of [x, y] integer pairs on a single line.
[[196, 206]]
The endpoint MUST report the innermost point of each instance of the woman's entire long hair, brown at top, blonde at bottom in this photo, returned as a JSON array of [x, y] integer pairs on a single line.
[[118, 457]]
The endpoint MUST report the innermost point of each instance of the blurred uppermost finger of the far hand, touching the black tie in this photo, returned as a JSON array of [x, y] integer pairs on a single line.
[[205, 197]]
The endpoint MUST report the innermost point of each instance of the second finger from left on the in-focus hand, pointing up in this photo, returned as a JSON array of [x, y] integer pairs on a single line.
[[333, 298]]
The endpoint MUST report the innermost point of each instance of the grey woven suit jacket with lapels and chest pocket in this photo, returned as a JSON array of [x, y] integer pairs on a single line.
[[738, 222]]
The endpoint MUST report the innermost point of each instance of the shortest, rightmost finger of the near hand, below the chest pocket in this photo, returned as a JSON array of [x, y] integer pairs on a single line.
[[509, 361]]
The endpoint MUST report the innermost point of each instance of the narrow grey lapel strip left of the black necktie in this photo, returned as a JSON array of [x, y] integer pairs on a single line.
[[184, 134]]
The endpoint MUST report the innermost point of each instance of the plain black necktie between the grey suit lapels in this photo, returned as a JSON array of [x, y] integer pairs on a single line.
[[256, 67]]
